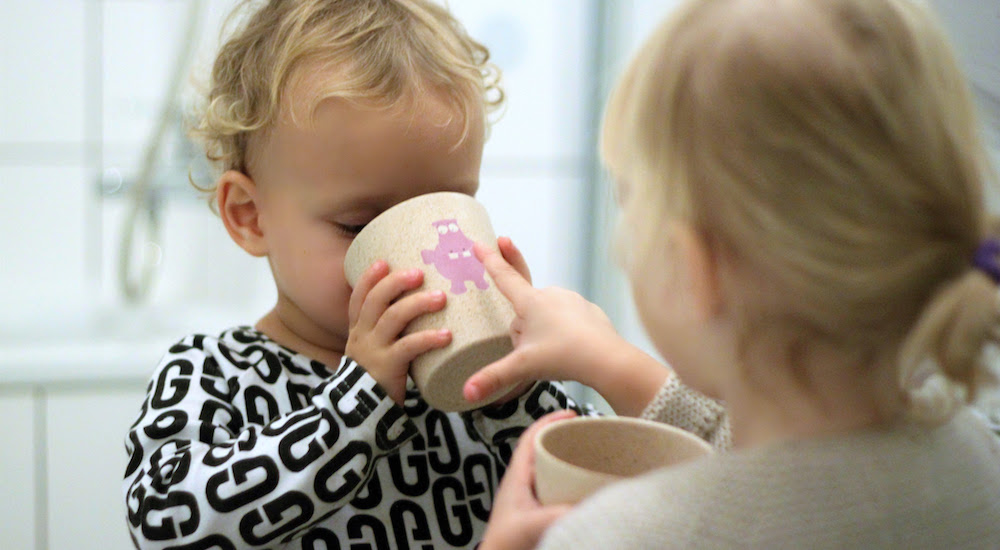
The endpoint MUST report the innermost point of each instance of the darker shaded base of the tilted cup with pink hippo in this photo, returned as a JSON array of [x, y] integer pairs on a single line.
[[441, 385]]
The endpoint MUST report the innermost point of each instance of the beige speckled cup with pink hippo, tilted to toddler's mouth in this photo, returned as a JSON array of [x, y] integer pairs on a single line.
[[435, 233]]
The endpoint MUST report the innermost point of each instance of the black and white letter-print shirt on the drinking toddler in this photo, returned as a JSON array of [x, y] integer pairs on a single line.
[[244, 443]]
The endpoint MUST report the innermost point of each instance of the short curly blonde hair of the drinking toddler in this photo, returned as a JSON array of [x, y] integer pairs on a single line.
[[375, 52]]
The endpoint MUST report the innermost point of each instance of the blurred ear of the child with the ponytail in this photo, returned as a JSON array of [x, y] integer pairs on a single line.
[[700, 271]]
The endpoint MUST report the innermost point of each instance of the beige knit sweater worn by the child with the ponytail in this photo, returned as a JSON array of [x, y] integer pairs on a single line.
[[907, 487]]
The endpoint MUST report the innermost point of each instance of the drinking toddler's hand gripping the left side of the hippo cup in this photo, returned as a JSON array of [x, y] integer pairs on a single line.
[[378, 316]]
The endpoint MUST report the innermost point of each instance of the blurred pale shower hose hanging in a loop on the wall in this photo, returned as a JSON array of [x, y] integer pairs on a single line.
[[136, 275]]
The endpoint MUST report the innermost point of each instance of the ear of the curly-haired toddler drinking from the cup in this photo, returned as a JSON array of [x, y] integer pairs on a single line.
[[236, 197]]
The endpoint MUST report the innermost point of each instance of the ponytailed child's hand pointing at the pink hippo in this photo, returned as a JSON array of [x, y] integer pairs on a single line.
[[559, 335]]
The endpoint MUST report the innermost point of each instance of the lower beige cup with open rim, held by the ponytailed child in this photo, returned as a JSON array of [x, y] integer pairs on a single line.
[[576, 457]]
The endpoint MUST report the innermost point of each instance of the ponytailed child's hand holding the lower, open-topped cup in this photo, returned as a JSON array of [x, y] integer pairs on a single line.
[[518, 520]]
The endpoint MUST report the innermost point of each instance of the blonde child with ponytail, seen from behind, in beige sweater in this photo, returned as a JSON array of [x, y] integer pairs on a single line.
[[802, 186]]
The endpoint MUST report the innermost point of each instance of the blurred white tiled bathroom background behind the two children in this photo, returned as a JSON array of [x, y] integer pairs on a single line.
[[108, 255]]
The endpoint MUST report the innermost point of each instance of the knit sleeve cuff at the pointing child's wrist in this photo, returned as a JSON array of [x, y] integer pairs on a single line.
[[679, 405]]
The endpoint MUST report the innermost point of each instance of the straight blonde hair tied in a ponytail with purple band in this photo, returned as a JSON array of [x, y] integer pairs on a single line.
[[830, 154]]
